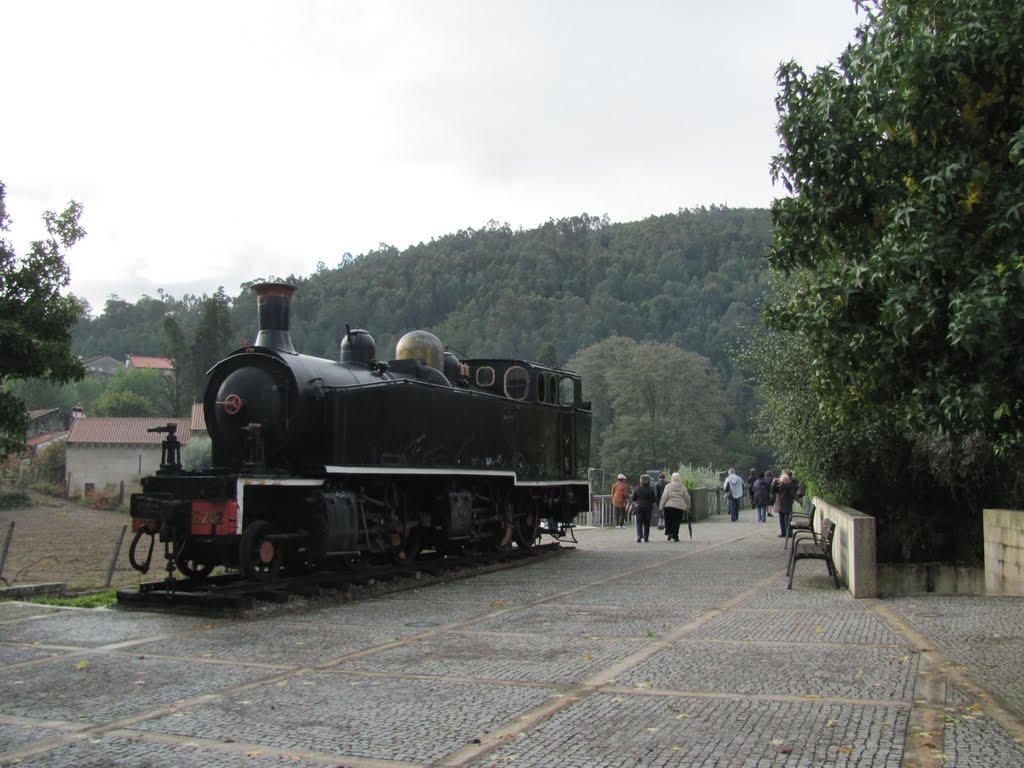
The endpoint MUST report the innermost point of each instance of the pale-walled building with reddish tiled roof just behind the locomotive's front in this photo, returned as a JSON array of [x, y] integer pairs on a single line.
[[115, 452]]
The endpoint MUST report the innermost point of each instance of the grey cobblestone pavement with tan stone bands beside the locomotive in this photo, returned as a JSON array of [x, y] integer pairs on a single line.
[[615, 654]]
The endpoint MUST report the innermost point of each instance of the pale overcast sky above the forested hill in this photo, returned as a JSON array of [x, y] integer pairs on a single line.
[[215, 143]]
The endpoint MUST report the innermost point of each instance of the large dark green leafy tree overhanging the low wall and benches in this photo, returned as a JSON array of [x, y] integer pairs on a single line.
[[903, 241]]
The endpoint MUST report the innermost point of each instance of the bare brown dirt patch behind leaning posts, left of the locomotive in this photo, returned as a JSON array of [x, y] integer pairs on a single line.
[[56, 540]]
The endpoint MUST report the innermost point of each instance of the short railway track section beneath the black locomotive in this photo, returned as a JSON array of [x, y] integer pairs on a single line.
[[230, 593]]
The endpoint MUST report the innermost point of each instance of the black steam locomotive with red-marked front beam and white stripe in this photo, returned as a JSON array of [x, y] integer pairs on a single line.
[[320, 462]]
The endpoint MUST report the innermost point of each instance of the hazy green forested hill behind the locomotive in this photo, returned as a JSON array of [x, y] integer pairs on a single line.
[[691, 279]]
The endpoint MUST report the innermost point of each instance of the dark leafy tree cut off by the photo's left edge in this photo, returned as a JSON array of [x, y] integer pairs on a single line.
[[35, 318]]
